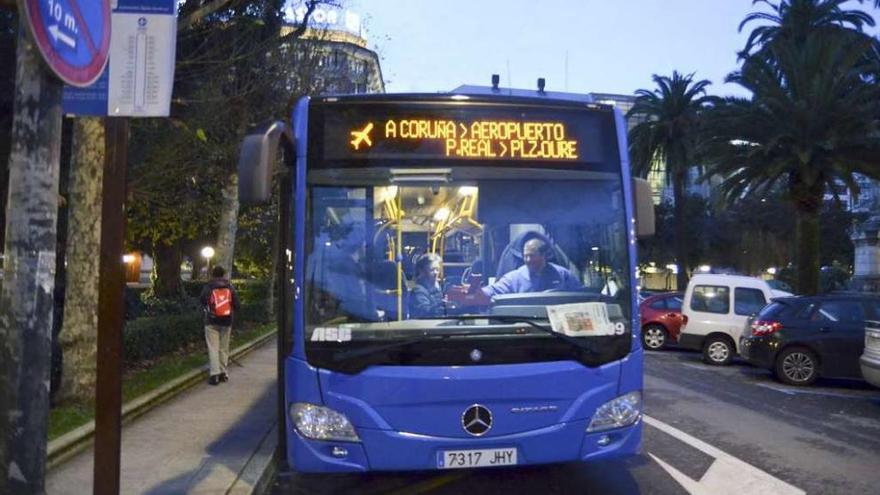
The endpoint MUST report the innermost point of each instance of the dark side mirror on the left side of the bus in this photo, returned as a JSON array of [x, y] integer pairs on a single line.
[[256, 159]]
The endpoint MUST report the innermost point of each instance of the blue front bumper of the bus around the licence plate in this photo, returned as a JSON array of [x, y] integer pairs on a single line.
[[383, 450]]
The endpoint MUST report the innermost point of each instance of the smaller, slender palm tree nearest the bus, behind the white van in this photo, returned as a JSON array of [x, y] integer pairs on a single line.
[[668, 135]]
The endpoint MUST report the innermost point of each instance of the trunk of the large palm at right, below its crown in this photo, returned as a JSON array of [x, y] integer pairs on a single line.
[[808, 203]]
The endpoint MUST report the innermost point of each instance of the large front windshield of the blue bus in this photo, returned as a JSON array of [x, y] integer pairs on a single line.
[[422, 264]]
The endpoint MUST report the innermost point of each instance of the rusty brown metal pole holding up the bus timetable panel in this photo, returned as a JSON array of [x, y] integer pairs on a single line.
[[108, 397]]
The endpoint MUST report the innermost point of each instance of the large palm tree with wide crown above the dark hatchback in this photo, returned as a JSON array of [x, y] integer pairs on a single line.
[[812, 122]]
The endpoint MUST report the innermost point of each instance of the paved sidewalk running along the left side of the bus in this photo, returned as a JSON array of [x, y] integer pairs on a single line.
[[210, 439]]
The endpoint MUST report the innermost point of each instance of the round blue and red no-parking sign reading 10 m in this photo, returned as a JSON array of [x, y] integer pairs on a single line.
[[72, 35]]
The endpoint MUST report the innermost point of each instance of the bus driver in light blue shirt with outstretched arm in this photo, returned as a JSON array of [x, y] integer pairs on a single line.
[[536, 275]]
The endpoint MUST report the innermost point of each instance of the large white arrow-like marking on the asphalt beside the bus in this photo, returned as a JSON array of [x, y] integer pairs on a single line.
[[727, 475]]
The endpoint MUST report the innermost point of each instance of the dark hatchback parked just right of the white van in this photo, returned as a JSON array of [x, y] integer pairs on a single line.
[[803, 338]]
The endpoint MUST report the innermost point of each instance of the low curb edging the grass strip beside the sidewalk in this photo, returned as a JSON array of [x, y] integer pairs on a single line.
[[75, 441]]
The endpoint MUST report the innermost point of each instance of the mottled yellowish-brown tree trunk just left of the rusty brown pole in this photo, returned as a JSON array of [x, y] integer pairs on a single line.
[[79, 333]]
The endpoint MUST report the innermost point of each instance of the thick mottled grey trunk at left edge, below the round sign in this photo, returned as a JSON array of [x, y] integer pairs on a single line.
[[26, 298]]
